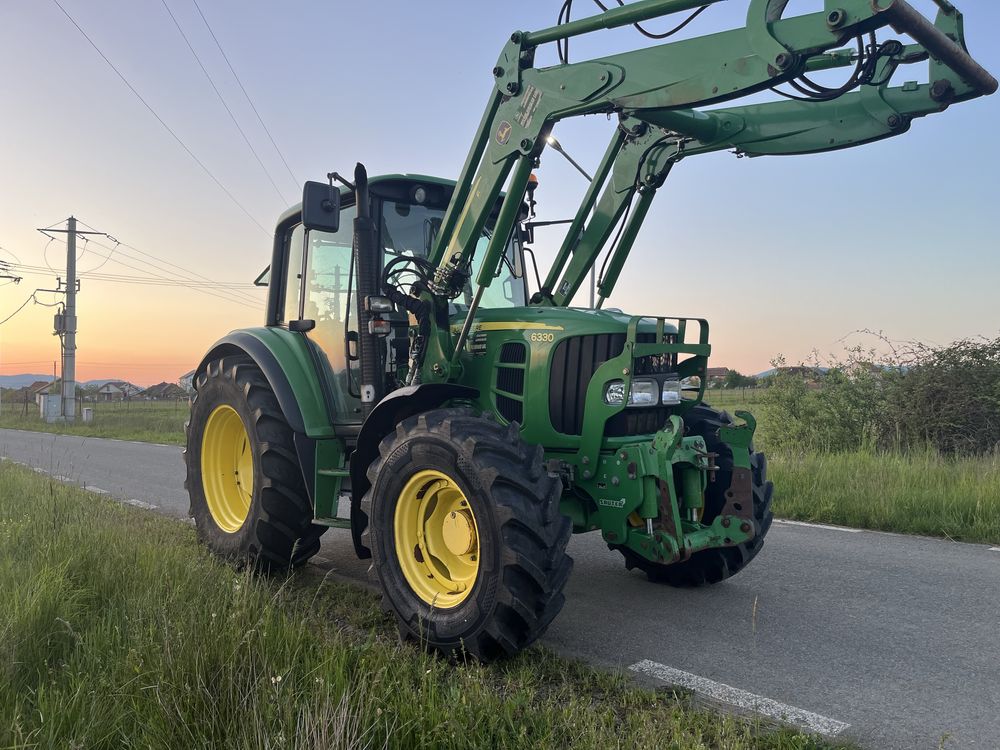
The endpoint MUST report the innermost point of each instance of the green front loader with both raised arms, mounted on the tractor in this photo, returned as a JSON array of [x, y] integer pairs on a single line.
[[655, 91]]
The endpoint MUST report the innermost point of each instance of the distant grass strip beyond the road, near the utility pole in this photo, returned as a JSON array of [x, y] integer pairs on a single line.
[[146, 421]]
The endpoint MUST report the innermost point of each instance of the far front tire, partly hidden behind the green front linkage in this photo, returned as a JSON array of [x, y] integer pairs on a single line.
[[715, 565]]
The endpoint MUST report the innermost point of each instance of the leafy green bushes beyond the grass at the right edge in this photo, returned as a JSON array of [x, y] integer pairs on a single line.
[[912, 397]]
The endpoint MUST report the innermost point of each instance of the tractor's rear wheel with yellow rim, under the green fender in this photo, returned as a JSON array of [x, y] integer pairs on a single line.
[[237, 426]]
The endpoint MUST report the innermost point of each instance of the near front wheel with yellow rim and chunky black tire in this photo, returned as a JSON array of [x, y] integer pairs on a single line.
[[493, 586]]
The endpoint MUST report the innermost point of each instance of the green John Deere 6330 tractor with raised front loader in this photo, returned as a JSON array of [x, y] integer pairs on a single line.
[[419, 383]]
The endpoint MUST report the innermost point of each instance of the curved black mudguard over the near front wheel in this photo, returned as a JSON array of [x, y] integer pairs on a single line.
[[390, 411]]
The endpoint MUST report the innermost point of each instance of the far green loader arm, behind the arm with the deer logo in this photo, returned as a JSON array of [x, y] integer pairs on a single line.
[[775, 128]]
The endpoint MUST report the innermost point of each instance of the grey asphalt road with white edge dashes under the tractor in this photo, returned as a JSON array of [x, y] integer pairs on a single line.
[[886, 640]]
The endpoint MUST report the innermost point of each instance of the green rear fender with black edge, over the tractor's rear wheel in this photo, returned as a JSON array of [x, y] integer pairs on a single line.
[[290, 367]]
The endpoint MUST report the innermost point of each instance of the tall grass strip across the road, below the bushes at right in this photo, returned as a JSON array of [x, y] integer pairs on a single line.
[[911, 494]]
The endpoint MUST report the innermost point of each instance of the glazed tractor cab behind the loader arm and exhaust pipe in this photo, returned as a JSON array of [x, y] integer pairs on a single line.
[[313, 280]]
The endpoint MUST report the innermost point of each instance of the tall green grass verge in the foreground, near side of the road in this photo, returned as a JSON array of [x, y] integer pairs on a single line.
[[118, 630]]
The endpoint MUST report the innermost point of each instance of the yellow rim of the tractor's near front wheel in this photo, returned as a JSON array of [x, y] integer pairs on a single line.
[[437, 539]]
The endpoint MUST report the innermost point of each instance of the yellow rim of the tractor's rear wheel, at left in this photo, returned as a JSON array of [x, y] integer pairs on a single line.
[[227, 468]]
